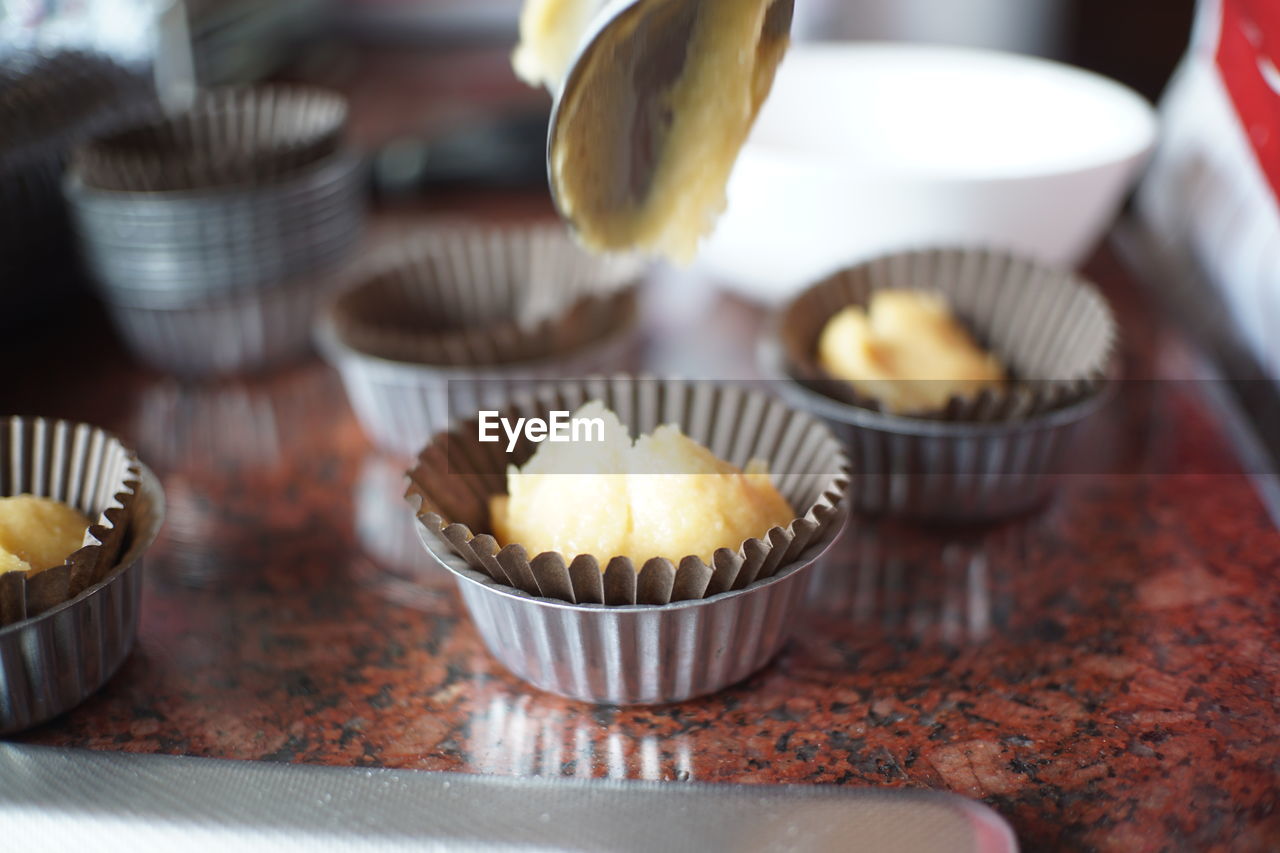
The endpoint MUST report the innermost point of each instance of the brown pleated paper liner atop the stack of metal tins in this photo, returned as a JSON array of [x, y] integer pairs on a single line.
[[228, 138]]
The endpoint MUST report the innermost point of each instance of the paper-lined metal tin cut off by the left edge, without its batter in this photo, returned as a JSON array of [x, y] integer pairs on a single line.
[[54, 660]]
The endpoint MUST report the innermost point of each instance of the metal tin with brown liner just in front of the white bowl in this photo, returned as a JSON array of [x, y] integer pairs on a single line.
[[979, 460]]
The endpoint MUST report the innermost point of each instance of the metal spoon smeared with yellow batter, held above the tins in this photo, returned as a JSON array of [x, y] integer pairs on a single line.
[[648, 47]]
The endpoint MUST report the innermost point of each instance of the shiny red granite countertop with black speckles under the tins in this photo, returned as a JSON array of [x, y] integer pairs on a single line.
[[1105, 674]]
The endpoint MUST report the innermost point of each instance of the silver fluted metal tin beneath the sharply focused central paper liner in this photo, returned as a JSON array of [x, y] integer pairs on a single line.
[[638, 654]]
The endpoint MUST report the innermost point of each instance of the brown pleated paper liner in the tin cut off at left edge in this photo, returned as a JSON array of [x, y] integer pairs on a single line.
[[85, 468]]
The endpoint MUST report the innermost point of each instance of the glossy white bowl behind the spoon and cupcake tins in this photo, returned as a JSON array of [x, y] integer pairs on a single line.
[[866, 149]]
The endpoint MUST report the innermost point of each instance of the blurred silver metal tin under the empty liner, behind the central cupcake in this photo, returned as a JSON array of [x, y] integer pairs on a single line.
[[401, 405]]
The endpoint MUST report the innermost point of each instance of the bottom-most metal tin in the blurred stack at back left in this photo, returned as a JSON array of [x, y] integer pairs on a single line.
[[228, 334]]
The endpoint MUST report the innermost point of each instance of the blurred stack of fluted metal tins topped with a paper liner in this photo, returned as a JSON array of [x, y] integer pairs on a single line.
[[213, 235]]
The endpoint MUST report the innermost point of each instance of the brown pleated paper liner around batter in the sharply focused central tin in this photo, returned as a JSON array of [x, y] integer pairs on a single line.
[[456, 475]]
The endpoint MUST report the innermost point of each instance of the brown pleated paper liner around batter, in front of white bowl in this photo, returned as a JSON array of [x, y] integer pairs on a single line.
[[1053, 331]]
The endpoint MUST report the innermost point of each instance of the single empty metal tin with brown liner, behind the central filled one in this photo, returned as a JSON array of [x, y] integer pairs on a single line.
[[458, 320]]
